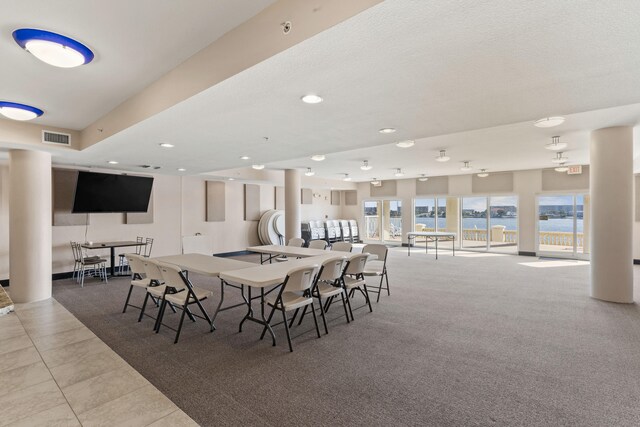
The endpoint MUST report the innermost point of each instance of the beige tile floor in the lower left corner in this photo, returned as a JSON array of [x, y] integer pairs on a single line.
[[55, 371]]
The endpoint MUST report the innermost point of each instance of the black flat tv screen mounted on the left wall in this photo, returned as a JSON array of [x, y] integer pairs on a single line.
[[103, 192]]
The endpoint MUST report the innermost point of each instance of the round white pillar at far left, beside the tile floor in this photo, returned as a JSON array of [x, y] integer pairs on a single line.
[[29, 225]]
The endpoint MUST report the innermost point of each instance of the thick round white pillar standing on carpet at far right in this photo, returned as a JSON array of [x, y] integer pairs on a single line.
[[611, 183]]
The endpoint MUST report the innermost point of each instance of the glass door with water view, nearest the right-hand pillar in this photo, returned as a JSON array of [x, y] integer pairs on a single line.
[[563, 225]]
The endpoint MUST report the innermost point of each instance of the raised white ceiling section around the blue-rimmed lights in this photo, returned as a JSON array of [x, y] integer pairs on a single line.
[[135, 43]]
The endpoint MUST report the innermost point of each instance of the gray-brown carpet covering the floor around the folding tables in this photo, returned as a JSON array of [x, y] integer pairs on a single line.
[[470, 340]]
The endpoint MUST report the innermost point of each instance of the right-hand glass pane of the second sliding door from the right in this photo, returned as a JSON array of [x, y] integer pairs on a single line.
[[503, 224]]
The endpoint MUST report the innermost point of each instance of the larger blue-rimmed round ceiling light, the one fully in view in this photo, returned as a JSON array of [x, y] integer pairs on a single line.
[[54, 49]]
